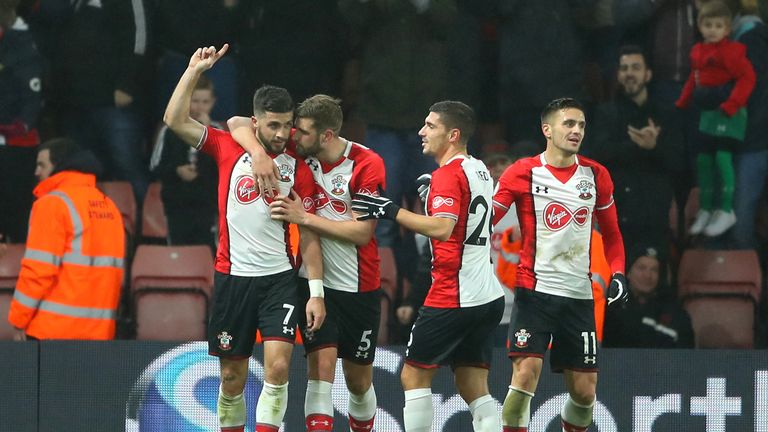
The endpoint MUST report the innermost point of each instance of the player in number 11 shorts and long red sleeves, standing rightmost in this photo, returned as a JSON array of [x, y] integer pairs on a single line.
[[556, 194]]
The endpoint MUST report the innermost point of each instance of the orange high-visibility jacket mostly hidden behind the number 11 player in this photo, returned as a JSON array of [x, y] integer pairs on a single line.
[[509, 257]]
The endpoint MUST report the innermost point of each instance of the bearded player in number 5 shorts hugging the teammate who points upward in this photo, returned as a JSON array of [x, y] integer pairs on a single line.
[[350, 259]]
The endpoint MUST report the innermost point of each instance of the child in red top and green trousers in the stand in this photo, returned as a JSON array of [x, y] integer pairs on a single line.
[[720, 83]]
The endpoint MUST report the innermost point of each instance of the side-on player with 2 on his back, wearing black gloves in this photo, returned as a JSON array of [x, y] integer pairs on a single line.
[[465, 302]]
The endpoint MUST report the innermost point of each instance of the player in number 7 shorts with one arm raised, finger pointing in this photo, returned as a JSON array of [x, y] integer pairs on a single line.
[[255, 282]]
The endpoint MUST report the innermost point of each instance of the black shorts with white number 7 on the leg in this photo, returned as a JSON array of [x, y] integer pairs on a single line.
[[241, 305]]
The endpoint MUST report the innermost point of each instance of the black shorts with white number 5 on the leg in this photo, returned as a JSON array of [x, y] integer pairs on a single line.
[[351, 323]]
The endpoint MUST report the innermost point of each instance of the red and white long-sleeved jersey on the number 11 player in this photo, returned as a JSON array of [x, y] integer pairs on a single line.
[[555, 208]]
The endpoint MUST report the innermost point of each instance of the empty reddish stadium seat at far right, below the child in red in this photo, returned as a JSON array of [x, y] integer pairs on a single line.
[[720, 290]]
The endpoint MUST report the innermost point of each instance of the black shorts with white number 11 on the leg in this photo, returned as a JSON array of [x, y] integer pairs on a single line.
[[569, 323]]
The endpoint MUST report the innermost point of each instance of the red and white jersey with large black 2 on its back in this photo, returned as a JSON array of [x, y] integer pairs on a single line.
[[462, 272]]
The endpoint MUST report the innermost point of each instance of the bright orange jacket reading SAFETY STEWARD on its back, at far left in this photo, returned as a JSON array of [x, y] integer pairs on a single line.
[[72, 269]]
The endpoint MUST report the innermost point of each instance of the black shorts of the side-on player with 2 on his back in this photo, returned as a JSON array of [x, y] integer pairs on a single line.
[[454, 336]]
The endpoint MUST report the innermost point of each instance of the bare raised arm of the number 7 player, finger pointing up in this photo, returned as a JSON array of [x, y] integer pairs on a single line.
[[177, 112]]
